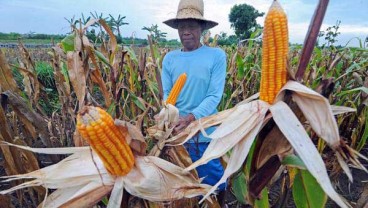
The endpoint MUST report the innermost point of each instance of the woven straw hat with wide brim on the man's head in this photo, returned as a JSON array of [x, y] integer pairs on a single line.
[[190, 9]]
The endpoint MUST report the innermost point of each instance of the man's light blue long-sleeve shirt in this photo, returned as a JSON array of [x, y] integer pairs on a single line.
[[206, 71]]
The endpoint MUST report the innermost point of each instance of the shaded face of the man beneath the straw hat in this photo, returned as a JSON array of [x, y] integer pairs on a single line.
[[190, 34]]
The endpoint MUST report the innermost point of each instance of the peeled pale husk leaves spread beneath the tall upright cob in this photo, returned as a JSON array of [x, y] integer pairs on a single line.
[[240, 125]]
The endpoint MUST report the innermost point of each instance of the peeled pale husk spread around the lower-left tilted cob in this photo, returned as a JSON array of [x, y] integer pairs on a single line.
[[151, 178]]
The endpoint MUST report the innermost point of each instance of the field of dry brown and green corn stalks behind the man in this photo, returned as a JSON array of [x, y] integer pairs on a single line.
[[40, 104]]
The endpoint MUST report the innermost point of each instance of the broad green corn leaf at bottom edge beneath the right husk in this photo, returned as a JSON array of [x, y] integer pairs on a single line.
[[307, 192]]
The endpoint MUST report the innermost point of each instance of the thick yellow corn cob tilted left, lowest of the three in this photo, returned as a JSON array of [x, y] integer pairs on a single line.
[[97, 127]]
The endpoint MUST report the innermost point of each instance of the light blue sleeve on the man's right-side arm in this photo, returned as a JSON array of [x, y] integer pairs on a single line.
[[215, 89]]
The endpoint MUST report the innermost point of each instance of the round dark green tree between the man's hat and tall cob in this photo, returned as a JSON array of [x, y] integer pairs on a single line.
[[243, 18]]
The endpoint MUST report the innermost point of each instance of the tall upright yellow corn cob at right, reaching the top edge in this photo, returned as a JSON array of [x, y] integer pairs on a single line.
[[274, 53]]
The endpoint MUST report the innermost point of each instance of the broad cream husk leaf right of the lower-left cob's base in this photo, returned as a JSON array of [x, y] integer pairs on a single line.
[[156, 179]]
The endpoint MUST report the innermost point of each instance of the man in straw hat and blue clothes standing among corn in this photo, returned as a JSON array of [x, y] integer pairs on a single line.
[[206, 71]]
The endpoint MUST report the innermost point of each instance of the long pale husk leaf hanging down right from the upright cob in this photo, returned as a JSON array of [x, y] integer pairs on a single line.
[[294, 131]]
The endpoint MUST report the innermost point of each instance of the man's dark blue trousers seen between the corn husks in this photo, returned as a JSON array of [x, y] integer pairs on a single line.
[[212, 171]]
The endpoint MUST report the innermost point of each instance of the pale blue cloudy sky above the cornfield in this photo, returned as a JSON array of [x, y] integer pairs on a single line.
[[48, 16]]
